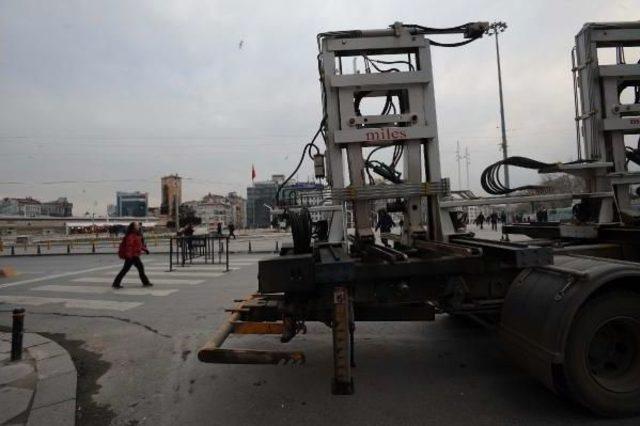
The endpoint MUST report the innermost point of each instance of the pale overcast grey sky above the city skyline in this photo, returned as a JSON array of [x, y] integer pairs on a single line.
[[109, 95]]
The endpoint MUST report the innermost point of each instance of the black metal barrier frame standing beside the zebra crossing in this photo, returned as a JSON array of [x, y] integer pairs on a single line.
[[183, 249]]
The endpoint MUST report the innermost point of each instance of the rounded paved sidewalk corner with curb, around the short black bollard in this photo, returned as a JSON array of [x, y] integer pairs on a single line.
[[41, 388]]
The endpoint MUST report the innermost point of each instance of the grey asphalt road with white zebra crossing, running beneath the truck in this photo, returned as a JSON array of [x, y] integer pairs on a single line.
[[135, 353]]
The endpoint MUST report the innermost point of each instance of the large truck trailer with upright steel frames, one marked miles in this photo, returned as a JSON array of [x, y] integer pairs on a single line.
[[540, 292]]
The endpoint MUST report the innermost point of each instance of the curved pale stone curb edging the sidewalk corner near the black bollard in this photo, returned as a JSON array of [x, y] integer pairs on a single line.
[[54, 399]]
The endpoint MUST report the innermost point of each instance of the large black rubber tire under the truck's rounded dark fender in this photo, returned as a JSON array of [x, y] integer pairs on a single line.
[[602, 359]]
